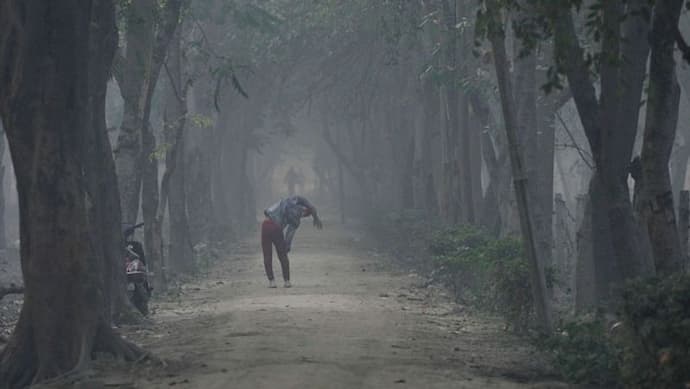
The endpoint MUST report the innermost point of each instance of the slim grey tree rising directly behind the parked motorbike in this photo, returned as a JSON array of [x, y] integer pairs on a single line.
[[149, 29]]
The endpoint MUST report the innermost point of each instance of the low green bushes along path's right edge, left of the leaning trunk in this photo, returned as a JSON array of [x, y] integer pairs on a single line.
[[483, 272]]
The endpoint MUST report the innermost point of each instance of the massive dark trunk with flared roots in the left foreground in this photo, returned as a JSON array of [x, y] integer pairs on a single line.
[[66, 49]]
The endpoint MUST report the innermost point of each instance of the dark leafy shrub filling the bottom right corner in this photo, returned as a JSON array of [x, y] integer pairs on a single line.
[[648, 347]]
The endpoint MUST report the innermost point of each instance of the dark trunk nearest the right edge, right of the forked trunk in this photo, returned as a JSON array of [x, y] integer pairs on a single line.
[[662, 115]]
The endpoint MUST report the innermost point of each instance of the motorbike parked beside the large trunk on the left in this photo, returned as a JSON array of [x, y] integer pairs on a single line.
[[138, 286]]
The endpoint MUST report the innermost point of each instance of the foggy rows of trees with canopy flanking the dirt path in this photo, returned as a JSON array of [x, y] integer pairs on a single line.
[[465, 112]]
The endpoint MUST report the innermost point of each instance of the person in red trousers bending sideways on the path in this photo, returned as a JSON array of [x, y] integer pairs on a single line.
[[282, 220]]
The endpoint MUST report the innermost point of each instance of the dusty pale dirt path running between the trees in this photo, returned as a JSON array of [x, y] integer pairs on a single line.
[[349, 322]]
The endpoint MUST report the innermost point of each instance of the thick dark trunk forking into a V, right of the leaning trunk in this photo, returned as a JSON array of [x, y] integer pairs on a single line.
[[619, 247]]
